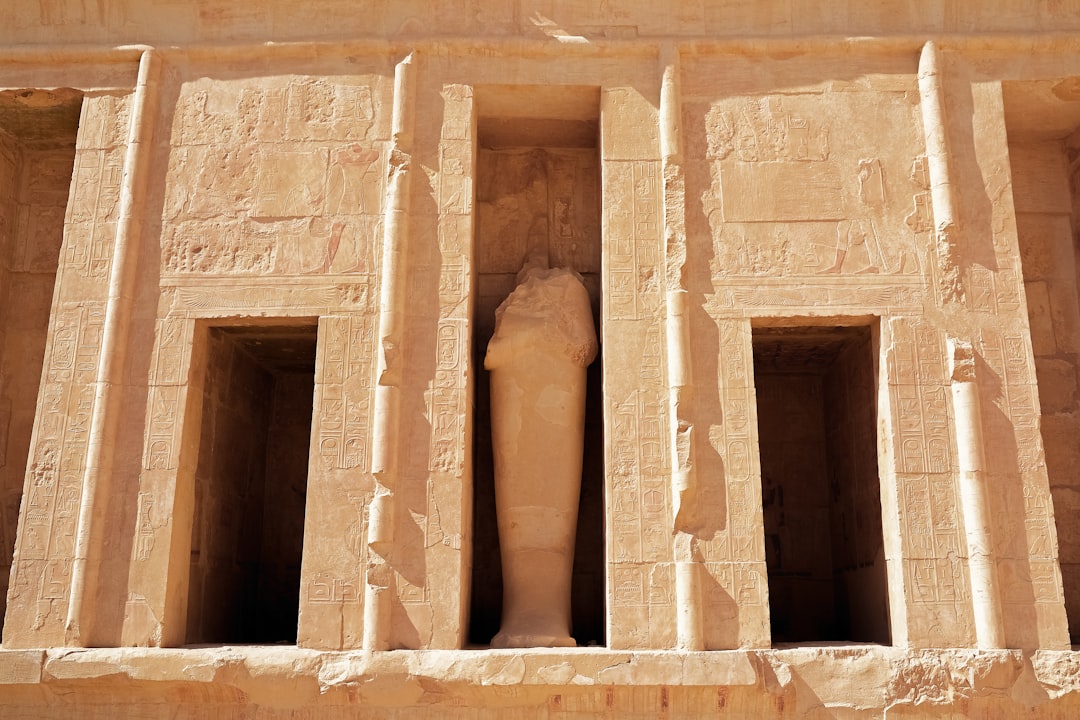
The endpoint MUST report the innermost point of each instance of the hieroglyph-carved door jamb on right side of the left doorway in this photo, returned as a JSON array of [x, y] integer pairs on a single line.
[[340, 485]]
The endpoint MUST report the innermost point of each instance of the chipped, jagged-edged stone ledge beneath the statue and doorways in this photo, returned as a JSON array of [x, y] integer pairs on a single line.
[[295, 677]]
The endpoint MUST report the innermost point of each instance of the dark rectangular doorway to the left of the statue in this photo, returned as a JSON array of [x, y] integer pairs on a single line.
[[251, 485]]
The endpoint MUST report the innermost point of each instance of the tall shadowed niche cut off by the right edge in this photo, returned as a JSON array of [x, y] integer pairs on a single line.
[[1044, 126]]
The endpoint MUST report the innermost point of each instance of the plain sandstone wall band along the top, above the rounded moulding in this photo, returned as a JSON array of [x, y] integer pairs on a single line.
[[223, 21]]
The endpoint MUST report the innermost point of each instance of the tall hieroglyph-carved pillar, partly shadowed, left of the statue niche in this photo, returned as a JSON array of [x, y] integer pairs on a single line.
[[429, 569]]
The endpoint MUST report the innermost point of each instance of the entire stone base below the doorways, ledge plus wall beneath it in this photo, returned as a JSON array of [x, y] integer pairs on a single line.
[[799, 682]]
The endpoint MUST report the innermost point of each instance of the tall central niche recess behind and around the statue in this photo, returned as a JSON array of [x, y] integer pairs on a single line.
[[538, 187]]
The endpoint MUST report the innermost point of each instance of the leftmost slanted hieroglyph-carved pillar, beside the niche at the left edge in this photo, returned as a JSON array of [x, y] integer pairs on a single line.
[[45, 547]]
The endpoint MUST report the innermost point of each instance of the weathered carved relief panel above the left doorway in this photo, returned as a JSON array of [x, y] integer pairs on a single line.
[[286, 178]]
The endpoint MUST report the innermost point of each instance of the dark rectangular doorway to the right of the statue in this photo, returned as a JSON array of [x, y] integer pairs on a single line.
[[820, 488]]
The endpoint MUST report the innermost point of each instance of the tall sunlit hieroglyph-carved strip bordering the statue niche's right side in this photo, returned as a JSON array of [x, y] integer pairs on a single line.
[[641, 576]]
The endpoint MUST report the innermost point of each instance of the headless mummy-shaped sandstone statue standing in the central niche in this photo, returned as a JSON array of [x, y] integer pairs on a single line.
[[544, 342]]
